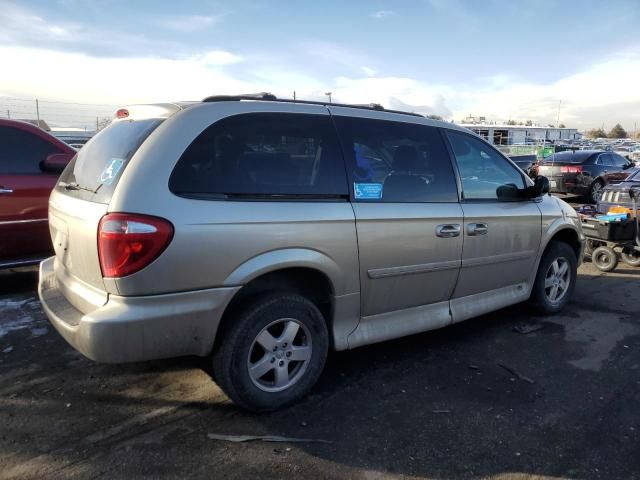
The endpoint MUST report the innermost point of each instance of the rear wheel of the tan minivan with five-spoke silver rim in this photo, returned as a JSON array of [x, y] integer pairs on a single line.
[[272, 352]]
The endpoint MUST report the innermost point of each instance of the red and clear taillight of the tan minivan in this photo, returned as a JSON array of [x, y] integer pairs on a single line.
[[129, 242]]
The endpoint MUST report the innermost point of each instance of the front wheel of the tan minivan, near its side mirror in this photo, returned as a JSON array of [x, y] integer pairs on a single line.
[[556, 278]]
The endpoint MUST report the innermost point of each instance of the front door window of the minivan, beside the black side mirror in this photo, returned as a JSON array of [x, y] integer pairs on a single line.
[[482, 169]]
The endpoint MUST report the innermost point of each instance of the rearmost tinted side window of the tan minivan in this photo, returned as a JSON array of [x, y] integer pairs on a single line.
[[263, 155]]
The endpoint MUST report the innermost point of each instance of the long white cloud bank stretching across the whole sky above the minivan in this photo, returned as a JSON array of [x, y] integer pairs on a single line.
[[603, 92]]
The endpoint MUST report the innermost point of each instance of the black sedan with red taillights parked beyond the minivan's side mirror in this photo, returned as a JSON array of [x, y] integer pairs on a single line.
[[584, 172]]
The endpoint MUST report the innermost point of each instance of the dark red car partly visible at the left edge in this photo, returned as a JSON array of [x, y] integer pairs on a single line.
[[30, 162]]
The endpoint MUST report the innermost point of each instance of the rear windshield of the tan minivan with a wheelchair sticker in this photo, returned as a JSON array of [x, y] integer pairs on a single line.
[[96, 169]]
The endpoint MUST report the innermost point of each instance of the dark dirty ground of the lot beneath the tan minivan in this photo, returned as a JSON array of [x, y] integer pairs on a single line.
[[434, 405]]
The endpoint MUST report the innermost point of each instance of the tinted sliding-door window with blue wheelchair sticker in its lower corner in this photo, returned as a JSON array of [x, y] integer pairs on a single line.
[[396, 161]]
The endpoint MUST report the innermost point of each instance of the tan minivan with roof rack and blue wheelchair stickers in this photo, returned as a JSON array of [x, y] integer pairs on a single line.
[[262, 233]]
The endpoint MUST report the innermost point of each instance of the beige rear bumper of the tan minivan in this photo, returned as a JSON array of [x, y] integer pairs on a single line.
[[131, 329]]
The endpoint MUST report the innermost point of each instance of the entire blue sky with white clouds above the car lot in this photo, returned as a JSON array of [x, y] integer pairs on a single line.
[[517, 59]]
